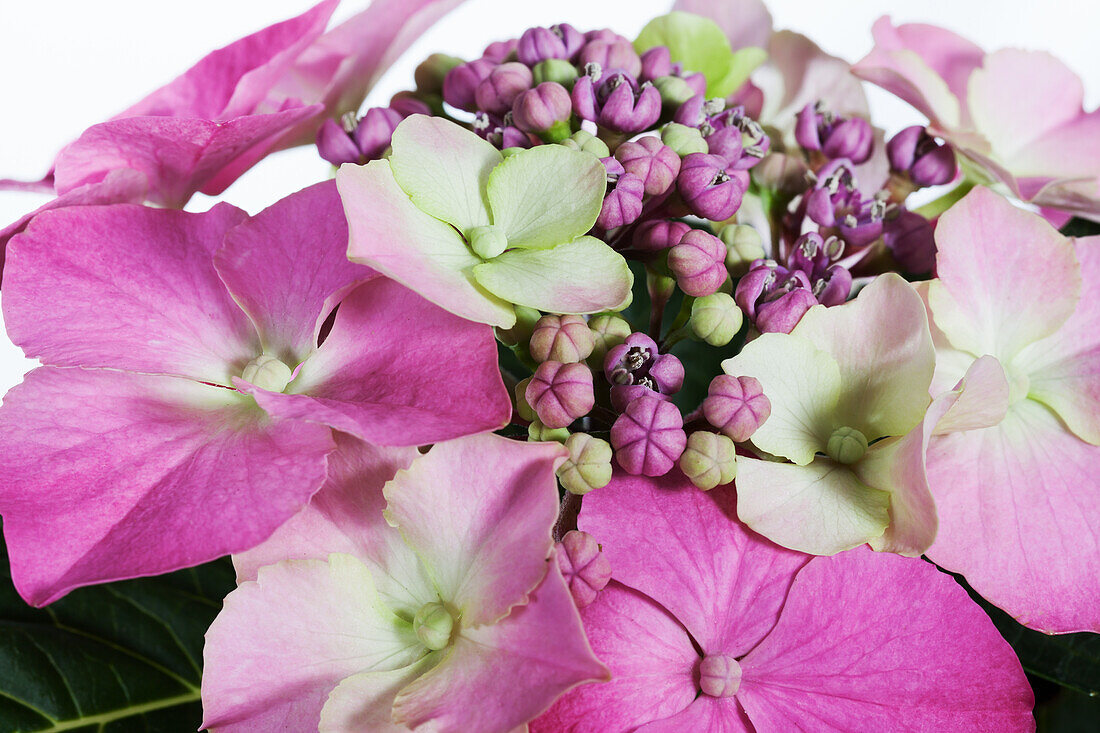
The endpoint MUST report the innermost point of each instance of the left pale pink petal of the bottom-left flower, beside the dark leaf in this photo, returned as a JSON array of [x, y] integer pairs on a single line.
[[284, 642]]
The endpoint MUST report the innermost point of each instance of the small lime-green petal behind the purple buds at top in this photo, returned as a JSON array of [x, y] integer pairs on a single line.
[[700, 46]]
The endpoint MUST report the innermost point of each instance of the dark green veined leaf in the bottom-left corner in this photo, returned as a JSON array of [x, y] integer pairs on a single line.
[[112, 659]]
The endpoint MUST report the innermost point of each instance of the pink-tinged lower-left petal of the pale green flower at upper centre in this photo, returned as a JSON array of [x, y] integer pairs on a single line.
[[390, 234]]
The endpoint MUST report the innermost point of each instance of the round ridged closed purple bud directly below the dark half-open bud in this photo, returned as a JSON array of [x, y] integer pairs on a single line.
[[650, 437]]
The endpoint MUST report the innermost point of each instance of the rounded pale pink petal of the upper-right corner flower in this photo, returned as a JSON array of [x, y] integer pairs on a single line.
[[1046, 95]]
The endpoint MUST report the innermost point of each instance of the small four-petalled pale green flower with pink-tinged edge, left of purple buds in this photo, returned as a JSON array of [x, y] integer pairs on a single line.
[[476, 233]]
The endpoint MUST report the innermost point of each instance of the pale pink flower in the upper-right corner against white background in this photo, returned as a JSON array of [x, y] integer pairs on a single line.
[[1016, 115]]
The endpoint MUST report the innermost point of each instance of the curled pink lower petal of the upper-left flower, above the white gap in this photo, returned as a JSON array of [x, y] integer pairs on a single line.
[[179, 156]]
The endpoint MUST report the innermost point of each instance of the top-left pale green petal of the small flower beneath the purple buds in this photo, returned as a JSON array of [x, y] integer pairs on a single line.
[[445, 169]]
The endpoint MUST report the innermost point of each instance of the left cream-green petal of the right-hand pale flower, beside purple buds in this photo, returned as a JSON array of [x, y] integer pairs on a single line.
[[804, 385]]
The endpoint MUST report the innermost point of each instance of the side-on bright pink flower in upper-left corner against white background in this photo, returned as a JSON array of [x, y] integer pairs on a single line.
[[269, 91]]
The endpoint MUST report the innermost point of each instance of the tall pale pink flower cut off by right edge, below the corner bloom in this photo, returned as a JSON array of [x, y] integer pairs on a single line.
[[1016, 316]]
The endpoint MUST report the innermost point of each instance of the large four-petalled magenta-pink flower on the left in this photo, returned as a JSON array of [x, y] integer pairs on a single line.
[[185, 409]]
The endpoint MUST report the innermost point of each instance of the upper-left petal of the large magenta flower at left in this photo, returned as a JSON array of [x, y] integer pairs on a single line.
[[127, 288]]
